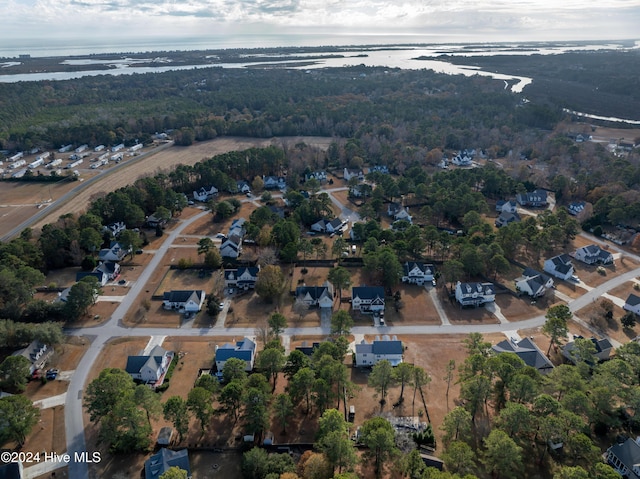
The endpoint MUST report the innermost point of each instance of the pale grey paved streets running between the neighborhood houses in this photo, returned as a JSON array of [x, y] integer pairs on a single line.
[[74, 424]]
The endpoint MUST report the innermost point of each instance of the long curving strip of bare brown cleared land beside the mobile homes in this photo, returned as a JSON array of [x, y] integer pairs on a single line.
[[151, 164]]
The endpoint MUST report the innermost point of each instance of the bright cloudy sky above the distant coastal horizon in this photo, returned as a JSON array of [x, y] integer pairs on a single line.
[[439, 21]]
